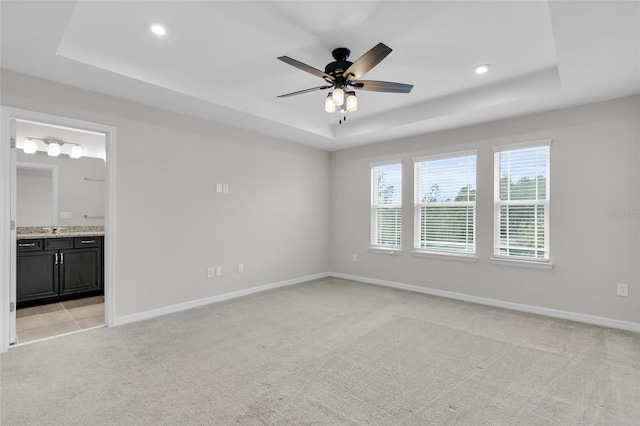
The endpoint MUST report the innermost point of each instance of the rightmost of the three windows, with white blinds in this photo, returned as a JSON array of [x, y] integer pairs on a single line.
[[521, 201]]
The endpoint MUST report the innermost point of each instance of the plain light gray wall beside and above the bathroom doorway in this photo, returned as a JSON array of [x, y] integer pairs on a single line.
[[171, 223]]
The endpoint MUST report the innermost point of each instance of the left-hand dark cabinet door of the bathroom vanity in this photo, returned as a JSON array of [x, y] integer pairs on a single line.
[[36, 275]]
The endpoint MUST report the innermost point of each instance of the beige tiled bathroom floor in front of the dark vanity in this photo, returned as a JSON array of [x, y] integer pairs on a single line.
[[39, 322]]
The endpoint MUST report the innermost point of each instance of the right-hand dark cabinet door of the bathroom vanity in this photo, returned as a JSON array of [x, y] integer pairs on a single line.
[[80, 270]]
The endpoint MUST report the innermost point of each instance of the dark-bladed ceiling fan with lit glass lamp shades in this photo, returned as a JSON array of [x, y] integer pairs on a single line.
[[344, 76]]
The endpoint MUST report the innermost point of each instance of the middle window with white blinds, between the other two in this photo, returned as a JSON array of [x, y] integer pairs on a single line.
[[445, 203]]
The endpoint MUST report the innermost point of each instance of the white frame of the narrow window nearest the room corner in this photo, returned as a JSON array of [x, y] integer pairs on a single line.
[[374, 207]]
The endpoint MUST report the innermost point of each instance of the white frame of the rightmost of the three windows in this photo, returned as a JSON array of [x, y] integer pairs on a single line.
[[508, 259]]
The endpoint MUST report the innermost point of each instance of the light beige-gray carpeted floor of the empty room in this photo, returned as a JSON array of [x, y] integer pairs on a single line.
[[329, 352]]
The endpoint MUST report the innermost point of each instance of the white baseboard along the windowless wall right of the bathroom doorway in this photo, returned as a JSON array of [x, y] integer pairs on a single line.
[[126, 319]]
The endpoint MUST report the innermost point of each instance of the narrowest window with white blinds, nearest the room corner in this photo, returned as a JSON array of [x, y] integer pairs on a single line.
[[386, 205]]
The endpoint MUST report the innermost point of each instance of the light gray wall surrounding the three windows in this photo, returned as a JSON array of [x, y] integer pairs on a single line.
[[595, 160]]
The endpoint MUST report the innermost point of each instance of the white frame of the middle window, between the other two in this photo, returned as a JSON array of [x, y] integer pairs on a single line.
[[418, 250]]
